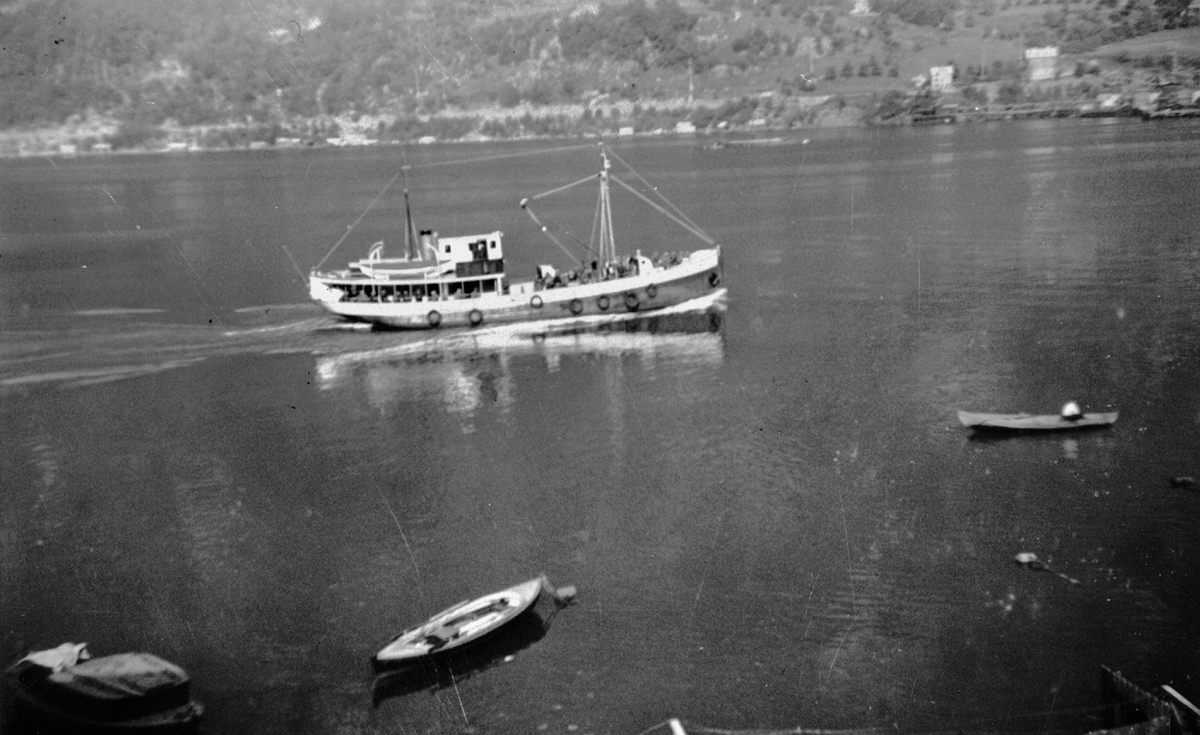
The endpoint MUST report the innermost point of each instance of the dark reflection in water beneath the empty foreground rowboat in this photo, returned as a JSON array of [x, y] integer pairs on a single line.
[[439, 673]]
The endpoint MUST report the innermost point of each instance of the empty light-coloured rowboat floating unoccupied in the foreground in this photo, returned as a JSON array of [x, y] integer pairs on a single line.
[[460, 625]]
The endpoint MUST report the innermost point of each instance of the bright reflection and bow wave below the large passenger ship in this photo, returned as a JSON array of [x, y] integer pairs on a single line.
[[465, 368]]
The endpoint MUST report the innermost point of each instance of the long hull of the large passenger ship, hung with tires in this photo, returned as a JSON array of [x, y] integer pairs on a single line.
[[695, 277]]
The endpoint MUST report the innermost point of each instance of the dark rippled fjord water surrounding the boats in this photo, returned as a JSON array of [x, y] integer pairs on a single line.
[[771, 513]]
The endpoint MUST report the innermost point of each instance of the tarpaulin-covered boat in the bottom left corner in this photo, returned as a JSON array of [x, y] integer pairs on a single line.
[[64, 690]]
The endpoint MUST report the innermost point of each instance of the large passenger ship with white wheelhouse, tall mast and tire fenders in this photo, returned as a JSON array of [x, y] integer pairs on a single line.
[[463, 282]]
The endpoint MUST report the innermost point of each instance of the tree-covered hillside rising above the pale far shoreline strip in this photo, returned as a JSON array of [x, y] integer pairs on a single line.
[[148, 63]]
